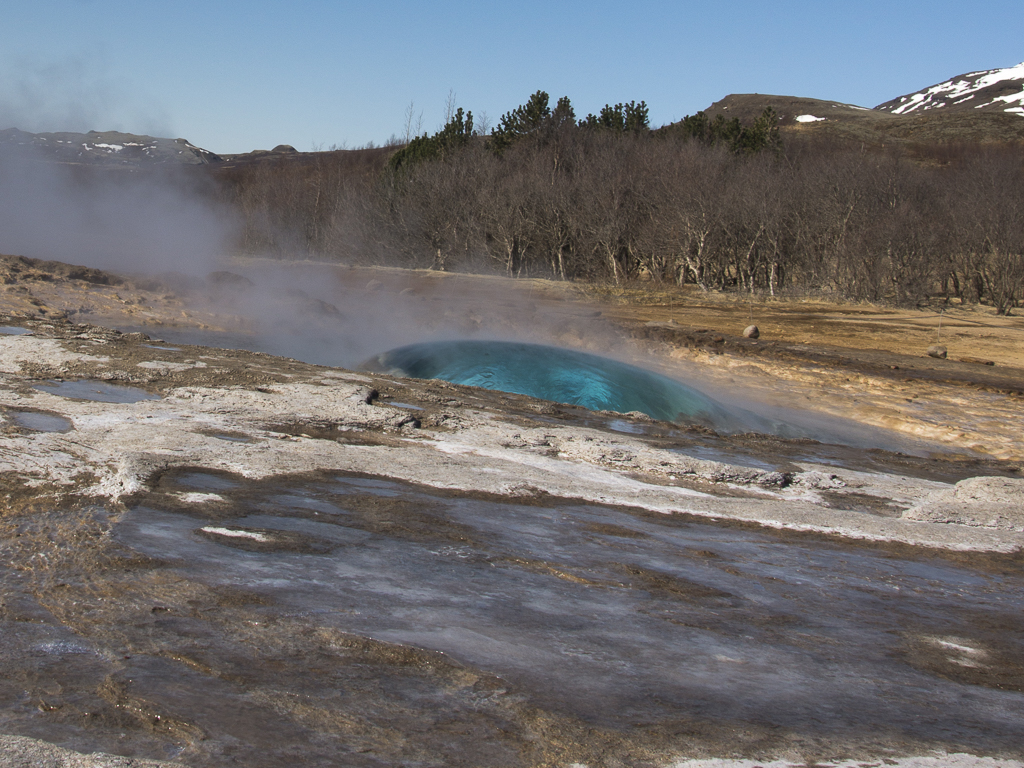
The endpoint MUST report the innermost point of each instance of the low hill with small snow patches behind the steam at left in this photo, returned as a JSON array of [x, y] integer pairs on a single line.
[[106, 149]]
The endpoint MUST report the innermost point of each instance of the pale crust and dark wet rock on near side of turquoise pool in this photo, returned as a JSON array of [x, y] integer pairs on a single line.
[[272, 563]]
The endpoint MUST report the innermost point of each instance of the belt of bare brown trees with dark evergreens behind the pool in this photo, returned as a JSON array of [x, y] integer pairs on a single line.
[[713, 203]]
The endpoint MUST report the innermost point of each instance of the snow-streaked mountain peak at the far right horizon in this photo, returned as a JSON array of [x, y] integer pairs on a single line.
[[991, 91]]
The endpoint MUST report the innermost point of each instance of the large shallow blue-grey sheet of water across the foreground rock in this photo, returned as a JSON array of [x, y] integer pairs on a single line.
[[615, 618]]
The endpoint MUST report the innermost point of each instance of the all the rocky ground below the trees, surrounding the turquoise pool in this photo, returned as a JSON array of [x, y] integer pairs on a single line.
[[143, 642]]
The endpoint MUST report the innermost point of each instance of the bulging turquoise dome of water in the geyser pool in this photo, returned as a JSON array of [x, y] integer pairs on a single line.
[[565, 376]]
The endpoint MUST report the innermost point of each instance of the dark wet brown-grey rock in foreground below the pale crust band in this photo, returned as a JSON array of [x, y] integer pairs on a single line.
[[466, 629]]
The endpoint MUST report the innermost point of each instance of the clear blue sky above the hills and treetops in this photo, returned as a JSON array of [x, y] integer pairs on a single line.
[[238, 76]]
